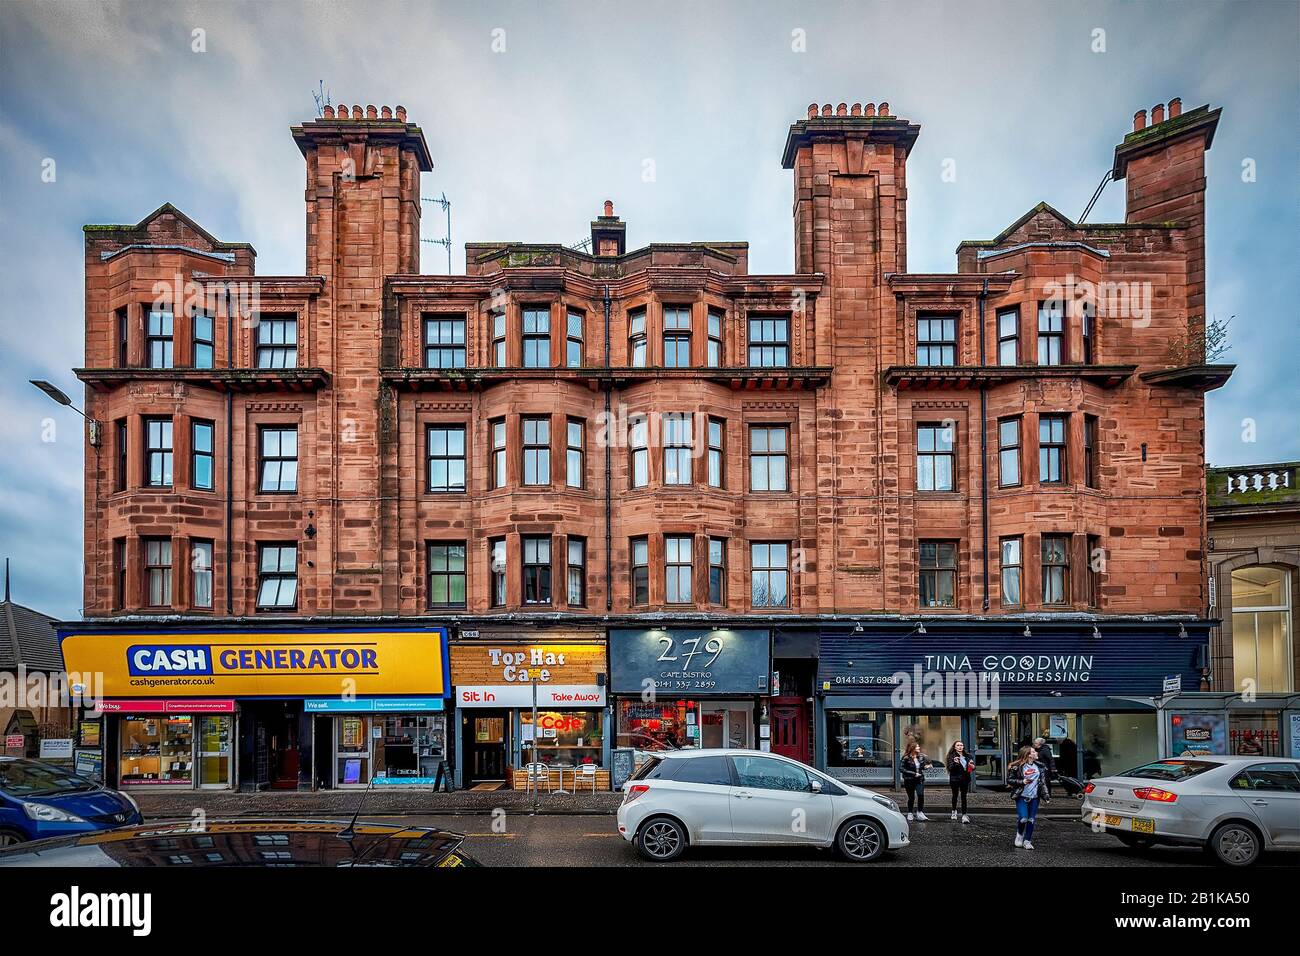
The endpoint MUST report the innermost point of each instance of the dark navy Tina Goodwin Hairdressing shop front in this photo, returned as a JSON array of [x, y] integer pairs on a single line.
[[1095, 700]]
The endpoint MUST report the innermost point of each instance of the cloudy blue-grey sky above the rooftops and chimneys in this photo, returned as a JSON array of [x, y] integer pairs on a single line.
[[538, 113]]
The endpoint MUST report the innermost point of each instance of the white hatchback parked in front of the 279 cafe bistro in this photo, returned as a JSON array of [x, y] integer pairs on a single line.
[[752, 798]]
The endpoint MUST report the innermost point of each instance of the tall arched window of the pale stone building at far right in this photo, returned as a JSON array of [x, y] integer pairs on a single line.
[[1262, 630]]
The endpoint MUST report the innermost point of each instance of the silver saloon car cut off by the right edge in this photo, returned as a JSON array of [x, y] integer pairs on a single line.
[[1233, 807]]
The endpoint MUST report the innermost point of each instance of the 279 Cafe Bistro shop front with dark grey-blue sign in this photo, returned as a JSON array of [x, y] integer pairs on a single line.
[[691, 687]]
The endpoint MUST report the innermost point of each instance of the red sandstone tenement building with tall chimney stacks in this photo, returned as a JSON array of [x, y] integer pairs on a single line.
[[647, 448]]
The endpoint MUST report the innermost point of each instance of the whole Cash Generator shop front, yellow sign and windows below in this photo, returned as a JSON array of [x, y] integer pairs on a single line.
[[224, 710]]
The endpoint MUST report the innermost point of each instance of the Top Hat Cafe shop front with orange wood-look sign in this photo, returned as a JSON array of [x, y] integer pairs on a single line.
[[501, 684]]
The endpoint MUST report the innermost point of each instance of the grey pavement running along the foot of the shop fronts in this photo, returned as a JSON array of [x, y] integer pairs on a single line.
[[471, 802]]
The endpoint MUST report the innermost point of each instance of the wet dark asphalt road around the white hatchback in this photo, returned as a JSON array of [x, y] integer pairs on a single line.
[[593, 841]]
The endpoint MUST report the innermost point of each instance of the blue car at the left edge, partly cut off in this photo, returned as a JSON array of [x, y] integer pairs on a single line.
[[40, 801]]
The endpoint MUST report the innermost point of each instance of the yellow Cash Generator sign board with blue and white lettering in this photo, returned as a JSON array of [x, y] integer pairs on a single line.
[[266, 665]]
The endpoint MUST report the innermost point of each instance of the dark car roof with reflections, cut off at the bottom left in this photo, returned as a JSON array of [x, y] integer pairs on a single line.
[[249, 843]]
